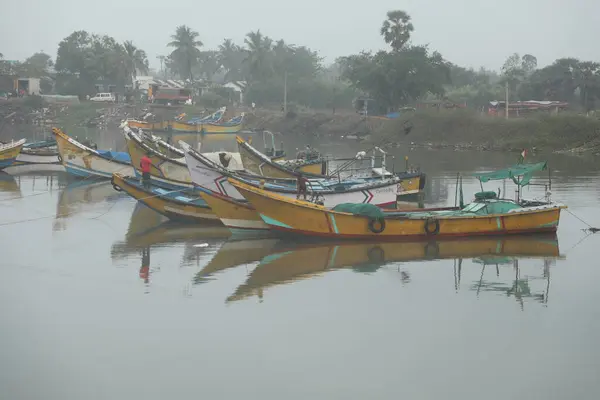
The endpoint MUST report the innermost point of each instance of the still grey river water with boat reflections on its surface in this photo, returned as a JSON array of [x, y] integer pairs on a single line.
[[99, 299]]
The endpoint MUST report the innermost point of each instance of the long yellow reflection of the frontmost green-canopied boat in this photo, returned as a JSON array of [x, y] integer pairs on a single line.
[[288, 262]]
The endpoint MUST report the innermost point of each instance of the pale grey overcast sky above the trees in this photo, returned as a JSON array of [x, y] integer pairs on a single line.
[[467, 32]]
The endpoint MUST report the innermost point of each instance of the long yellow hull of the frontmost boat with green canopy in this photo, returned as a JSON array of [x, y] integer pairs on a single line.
[[300, 217]]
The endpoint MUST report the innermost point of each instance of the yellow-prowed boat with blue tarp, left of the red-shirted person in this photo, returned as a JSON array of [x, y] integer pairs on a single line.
[[84, 162]]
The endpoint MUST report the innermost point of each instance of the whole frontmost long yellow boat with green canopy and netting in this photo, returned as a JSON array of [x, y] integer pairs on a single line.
[[488, 214]]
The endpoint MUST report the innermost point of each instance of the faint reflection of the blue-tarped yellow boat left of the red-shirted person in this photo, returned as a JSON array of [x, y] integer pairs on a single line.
[[82, 196]]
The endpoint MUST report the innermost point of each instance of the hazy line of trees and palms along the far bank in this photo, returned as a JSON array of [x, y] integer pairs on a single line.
[[401, 76]]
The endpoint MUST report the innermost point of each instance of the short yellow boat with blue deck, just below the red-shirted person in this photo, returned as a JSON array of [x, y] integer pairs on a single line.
[[175, 205]]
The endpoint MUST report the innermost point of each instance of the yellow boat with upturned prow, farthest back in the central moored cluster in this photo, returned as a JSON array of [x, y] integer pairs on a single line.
[[257, 163]]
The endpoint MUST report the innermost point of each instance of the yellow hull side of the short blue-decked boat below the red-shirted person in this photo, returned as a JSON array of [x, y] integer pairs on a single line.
[[174, 210]]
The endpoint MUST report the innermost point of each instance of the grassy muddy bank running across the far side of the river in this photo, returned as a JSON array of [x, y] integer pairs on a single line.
[[458, 130]]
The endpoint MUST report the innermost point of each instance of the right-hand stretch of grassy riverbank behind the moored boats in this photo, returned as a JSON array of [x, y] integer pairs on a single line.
[[461, 130]]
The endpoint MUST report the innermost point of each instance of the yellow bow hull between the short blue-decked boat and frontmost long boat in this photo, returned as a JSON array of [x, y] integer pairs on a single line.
[[234, 214]]
